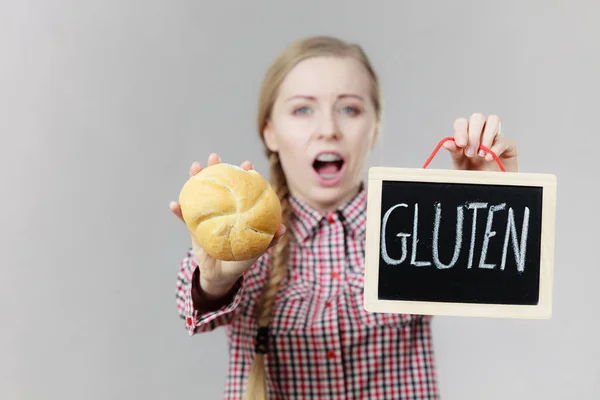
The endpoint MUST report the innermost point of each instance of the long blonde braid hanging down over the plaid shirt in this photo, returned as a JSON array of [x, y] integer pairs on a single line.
[[256, 388]]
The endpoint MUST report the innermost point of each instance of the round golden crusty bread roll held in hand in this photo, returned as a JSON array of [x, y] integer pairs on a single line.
[[232, 213]]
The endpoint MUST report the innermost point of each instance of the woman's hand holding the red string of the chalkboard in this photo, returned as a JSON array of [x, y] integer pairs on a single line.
[[470, 134]]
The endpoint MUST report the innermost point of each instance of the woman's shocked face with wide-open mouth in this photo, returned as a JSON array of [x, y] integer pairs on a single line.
[[323, 125]]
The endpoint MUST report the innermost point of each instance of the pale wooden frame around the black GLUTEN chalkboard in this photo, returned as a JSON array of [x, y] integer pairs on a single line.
[[379, 174]]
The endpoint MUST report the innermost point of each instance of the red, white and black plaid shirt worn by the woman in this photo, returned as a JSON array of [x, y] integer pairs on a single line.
[[322, 343]]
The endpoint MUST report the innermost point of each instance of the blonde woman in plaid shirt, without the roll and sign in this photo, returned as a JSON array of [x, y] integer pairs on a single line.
[[295, 320]]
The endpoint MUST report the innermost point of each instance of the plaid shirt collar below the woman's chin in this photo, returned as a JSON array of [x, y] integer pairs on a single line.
[[305, 220]]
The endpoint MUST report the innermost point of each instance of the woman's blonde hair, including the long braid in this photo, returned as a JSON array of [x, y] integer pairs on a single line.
[[316, 46]]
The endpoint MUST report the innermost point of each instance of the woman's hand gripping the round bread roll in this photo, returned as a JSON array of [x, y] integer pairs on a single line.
[[217, 277]]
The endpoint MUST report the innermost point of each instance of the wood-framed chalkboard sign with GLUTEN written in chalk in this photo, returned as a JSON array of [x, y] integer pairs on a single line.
[[465, 243]]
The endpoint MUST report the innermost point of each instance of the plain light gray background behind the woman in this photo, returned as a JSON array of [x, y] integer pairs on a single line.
[[104, 105]]
